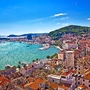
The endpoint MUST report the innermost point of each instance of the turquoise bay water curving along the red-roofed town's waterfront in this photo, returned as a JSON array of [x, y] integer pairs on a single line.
[[13, 52]]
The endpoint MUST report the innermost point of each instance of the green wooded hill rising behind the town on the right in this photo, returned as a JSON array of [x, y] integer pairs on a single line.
[[73, 29]]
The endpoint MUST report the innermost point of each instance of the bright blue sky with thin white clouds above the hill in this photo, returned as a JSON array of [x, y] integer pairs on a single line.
[[42, 16]]
